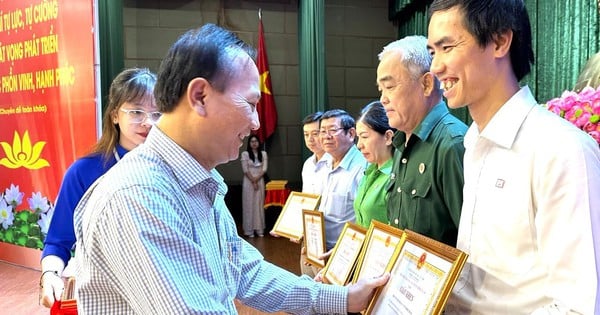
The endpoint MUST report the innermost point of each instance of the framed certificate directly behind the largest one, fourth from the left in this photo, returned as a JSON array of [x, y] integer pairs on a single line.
[[382, 242]]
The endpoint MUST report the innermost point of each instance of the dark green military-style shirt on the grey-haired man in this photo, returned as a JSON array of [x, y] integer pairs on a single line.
[[425, 187]]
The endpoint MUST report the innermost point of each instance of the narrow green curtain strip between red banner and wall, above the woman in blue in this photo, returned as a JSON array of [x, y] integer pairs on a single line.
[[110, 26]]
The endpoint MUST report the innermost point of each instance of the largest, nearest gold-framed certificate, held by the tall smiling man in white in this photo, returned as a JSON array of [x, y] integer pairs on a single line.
[[423, 273]]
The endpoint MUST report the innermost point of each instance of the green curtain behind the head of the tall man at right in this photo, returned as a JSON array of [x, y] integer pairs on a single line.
[[565, 36]]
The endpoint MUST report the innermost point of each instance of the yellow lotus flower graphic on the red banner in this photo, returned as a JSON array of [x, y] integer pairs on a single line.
[[22, 154]]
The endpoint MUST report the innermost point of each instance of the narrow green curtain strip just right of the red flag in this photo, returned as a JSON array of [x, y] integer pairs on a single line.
[[311, 45]]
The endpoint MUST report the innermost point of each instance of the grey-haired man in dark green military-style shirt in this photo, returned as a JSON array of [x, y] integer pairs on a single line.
[[424, 193]]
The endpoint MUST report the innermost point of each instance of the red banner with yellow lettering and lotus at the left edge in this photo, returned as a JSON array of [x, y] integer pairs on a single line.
[[47, 107]]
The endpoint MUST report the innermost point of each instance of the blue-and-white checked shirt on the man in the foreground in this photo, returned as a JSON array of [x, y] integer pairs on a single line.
[[154, 236]]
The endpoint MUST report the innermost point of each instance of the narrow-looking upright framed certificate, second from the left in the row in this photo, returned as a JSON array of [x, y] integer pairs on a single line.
[[314, 236]]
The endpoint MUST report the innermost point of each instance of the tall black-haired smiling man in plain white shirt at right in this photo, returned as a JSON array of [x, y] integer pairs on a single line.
[[531, 178]]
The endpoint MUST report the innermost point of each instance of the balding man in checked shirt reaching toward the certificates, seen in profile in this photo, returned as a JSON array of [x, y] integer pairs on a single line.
[[154, 234]]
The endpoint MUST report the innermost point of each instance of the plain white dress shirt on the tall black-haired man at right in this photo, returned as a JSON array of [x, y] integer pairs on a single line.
[[531, 180]]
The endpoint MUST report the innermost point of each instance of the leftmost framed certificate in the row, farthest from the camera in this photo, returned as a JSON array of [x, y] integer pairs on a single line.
[[289, 223]]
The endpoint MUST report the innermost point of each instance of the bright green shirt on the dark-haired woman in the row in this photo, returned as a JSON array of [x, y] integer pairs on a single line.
[[370, 201]]
